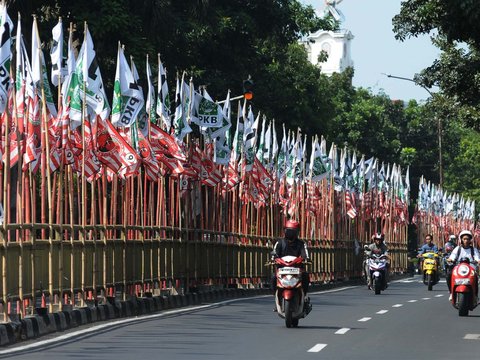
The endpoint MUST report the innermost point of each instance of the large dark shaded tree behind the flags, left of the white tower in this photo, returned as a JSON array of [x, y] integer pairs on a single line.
[[218, 43]]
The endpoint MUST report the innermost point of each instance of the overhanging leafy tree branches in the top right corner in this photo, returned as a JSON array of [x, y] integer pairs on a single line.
[[454, 29]]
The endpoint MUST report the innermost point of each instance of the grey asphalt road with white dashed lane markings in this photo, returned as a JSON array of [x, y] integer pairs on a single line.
[[405, 322]]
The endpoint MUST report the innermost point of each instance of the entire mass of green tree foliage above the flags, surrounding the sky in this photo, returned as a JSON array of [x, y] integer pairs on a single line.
[[220, 43]]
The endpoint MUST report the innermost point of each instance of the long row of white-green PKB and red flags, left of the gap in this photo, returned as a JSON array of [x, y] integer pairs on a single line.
[[146, 134]]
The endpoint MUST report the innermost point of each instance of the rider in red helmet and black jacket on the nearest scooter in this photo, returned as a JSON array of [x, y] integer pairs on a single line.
[[293, 246]]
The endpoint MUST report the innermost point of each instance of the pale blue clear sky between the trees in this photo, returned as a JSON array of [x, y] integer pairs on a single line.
[[375, 51]]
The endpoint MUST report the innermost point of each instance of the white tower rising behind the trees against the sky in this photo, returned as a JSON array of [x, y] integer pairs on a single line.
[[335, 43]]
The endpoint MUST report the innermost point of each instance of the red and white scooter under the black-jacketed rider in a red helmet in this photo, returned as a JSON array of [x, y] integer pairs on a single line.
[[289, 295]]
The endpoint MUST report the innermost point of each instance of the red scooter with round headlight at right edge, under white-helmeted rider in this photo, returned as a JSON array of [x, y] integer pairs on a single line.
[[464, 286]]
